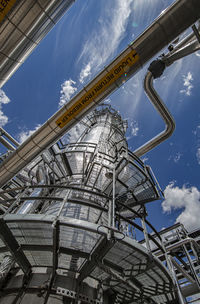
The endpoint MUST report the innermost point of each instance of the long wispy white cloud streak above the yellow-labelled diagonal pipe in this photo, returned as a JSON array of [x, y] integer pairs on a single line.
[[104, 40]]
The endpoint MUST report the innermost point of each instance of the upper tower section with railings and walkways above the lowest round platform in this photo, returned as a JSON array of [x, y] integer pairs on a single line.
[[85, 171]]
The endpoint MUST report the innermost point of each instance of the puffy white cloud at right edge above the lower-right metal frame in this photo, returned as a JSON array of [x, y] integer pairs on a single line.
[[187, 199]]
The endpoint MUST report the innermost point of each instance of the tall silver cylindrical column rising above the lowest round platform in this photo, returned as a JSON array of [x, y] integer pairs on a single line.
[[90, 158]]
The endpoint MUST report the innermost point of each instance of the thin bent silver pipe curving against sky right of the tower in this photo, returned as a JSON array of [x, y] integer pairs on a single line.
[[163, 111]]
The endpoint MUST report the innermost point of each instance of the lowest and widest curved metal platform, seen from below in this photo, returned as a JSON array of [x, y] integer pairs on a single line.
[[82, 250]]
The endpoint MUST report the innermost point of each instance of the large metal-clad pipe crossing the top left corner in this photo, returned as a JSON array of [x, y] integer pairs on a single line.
[[23, 24]]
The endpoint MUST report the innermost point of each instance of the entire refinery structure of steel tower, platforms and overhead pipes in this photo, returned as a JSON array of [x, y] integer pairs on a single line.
[[73, 224]]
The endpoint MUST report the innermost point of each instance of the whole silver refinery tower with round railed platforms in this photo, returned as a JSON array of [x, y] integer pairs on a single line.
[[68, 231]]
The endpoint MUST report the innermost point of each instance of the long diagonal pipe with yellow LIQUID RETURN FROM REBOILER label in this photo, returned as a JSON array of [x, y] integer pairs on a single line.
[[171, 23]]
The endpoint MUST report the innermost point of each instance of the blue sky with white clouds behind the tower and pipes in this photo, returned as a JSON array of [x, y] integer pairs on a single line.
[[87, 38]]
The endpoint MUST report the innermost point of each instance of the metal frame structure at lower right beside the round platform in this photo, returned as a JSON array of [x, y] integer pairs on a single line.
[[183, 252]]
